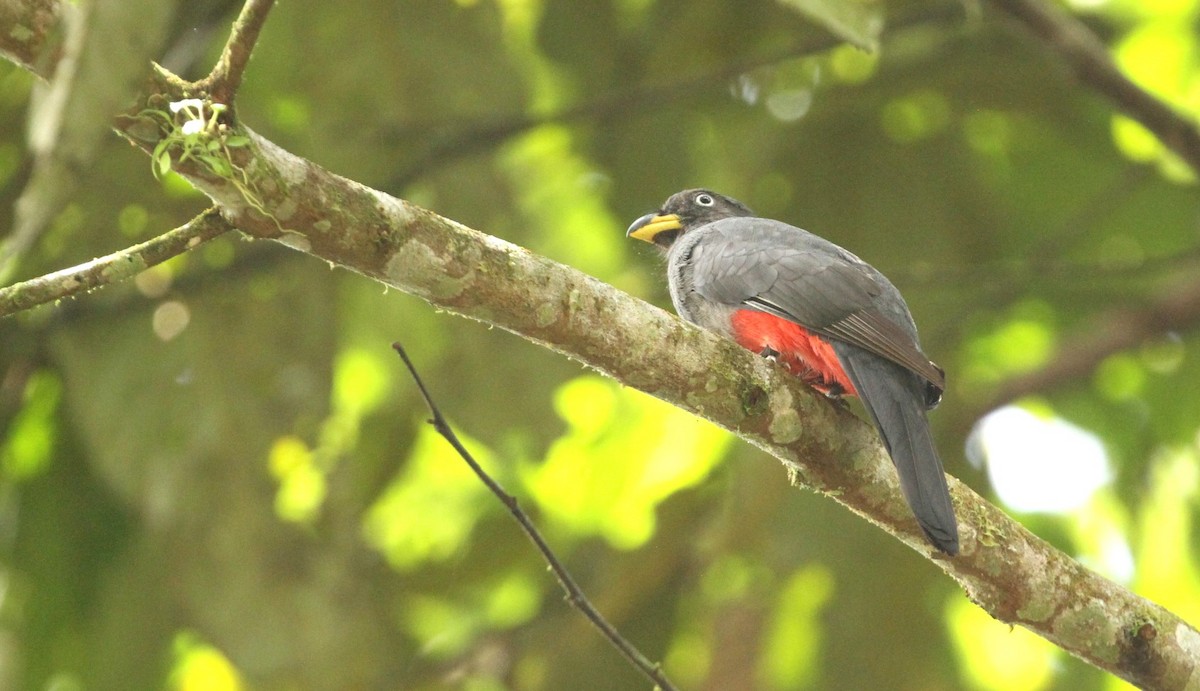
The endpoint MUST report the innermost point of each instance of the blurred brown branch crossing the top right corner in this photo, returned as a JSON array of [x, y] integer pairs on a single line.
[[1089, 59]]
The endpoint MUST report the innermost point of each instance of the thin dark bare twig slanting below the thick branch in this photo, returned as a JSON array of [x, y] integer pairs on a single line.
[[574, 594]]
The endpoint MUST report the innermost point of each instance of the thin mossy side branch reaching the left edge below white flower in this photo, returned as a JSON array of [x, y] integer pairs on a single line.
[[113, 268]]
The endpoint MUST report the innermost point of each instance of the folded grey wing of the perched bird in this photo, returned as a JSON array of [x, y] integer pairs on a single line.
[[785, 272]]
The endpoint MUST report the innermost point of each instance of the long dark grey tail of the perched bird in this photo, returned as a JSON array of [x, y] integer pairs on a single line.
[[895, 399]]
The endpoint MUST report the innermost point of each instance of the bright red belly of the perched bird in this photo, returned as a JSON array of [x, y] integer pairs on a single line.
[[803, 353]]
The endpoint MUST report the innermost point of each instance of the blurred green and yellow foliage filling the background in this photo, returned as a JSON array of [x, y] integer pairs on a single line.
[[219, 477]]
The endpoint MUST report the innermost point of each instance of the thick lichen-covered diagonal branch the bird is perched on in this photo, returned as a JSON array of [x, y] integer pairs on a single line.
[[1003, 567]]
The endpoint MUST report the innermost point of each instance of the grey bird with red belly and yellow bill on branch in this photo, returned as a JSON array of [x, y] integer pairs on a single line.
[[824, 314]]
